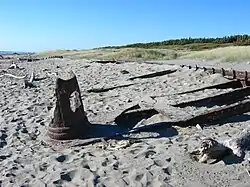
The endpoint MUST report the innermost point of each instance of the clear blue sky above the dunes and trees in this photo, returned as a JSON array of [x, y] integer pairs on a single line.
[[37, 25]]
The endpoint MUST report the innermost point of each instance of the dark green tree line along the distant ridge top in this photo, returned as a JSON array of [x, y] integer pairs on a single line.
[[234, 40]]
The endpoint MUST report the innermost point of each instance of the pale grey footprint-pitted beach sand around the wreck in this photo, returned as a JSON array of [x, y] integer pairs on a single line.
[[159, 159]]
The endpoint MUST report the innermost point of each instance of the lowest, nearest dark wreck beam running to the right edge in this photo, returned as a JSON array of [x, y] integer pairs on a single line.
[[215, 114]]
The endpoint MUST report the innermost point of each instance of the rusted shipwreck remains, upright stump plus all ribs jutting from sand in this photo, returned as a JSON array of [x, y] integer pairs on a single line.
[[70, 121]]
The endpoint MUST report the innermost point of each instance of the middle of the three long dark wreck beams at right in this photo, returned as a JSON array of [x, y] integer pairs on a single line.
[[225, 98]]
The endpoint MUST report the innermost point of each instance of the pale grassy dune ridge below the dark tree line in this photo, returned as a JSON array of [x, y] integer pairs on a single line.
[[224, 54]]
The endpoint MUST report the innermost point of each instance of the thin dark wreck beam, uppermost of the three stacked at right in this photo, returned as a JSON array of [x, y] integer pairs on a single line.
[[231, 84]]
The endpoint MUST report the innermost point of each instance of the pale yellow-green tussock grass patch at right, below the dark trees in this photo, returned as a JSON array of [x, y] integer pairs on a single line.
[[225, 54]]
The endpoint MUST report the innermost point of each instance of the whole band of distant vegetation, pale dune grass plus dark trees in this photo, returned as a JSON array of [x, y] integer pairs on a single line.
[[230, 48]]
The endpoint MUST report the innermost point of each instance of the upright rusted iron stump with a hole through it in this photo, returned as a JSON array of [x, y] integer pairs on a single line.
[[70, 120]]
